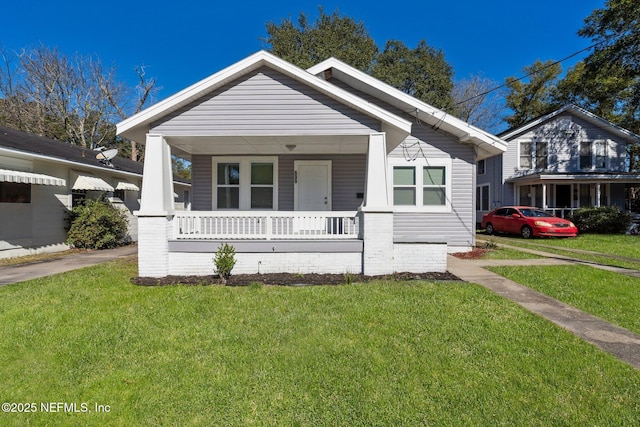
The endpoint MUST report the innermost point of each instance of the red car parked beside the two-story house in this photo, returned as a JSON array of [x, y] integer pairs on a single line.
[[527, 221]]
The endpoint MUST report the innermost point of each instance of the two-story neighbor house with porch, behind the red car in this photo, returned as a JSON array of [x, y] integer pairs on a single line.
[[559, 162]]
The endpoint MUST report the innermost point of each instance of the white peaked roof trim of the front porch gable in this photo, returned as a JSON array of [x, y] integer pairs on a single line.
[[137, 126]]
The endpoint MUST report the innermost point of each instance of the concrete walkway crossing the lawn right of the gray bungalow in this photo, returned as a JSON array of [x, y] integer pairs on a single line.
[[619, 342]]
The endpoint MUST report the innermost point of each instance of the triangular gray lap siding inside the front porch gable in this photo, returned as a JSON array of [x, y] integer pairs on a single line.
[[266, 102]]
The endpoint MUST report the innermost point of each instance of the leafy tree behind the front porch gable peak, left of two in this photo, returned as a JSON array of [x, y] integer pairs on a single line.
[[307, 44]]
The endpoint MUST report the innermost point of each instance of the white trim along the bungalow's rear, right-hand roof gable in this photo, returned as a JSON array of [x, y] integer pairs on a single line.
[[434, 116]]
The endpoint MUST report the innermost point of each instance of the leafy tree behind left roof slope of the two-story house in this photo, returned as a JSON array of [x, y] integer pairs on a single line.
[[531, 99]]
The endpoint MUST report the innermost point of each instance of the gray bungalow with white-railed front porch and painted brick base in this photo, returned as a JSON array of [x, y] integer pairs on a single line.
[[319, 170]]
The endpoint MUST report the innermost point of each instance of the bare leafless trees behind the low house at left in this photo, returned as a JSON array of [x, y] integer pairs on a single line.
[[74, 99]]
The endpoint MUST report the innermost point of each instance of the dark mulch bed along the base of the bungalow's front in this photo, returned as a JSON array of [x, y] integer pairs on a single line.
[[286, 279]]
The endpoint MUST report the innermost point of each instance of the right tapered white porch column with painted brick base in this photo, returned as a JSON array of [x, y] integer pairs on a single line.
[[377, 211]]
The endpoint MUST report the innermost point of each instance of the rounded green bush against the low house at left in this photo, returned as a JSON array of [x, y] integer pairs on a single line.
[[97, 225]]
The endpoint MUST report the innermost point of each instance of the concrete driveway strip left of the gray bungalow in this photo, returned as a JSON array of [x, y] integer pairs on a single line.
[[36, 270]]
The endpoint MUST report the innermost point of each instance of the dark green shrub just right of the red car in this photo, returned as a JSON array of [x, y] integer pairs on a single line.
[[602, 220]]
